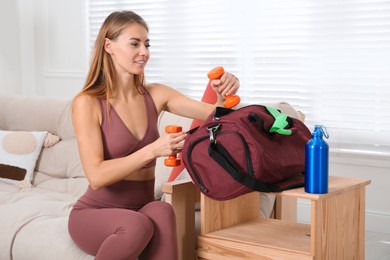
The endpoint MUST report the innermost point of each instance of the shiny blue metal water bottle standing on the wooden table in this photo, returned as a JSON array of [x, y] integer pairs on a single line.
[[316, 162]]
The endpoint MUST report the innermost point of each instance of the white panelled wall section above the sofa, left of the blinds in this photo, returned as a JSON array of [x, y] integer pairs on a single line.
[[44, 51]]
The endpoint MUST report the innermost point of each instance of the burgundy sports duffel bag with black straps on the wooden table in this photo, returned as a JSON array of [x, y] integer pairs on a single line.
[[252, 148]]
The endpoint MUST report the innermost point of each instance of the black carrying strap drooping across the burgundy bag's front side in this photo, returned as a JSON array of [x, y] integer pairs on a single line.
[[224, 159]]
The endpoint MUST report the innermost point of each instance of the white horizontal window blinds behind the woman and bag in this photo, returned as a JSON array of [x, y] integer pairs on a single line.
[[329, 59]]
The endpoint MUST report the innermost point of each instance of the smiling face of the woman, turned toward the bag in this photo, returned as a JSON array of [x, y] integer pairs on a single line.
[[130, 50]]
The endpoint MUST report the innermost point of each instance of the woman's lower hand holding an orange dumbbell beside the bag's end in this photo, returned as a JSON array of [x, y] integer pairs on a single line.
[[168, 144]]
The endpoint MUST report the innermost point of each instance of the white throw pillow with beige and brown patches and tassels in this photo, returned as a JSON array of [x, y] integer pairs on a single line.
[[19, 151]]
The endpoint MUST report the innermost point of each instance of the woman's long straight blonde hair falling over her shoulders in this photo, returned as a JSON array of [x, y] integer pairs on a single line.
[[101, 76]]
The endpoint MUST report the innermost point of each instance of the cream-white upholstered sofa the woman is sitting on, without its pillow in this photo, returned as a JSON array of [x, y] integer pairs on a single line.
[[33, 221]]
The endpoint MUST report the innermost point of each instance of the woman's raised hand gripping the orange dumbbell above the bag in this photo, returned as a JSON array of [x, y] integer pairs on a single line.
[[227, 85]]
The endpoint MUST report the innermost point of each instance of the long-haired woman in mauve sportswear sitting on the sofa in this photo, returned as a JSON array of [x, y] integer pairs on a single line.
[[115, 120]]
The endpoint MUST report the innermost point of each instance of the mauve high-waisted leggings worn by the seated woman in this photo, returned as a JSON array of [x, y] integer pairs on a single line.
[[113, 233]]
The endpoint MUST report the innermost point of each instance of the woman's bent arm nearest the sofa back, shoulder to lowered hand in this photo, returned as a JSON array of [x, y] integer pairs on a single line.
[[100, 172]]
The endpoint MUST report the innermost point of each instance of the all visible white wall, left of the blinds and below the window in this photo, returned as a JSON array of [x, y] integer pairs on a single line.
[[42, 52]]
